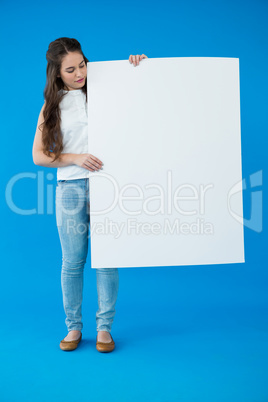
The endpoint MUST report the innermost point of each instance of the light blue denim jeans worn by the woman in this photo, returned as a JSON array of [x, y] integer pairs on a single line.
[[72, 216]]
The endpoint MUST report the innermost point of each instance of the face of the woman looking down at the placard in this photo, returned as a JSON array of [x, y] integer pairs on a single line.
[[73, 69]]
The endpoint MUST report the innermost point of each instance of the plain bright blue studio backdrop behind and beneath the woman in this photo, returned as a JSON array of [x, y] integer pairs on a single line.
[[195, 333]]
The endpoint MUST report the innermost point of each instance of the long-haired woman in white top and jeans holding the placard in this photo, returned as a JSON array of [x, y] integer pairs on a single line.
[[61, 141]]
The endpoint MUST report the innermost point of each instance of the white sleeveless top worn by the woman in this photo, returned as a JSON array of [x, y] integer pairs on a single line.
[[74, 128]]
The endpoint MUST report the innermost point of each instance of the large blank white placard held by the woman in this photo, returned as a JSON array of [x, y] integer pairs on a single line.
[[168, 133]]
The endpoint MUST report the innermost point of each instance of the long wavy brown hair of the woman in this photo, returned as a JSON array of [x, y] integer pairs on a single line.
[[51, 132]]
